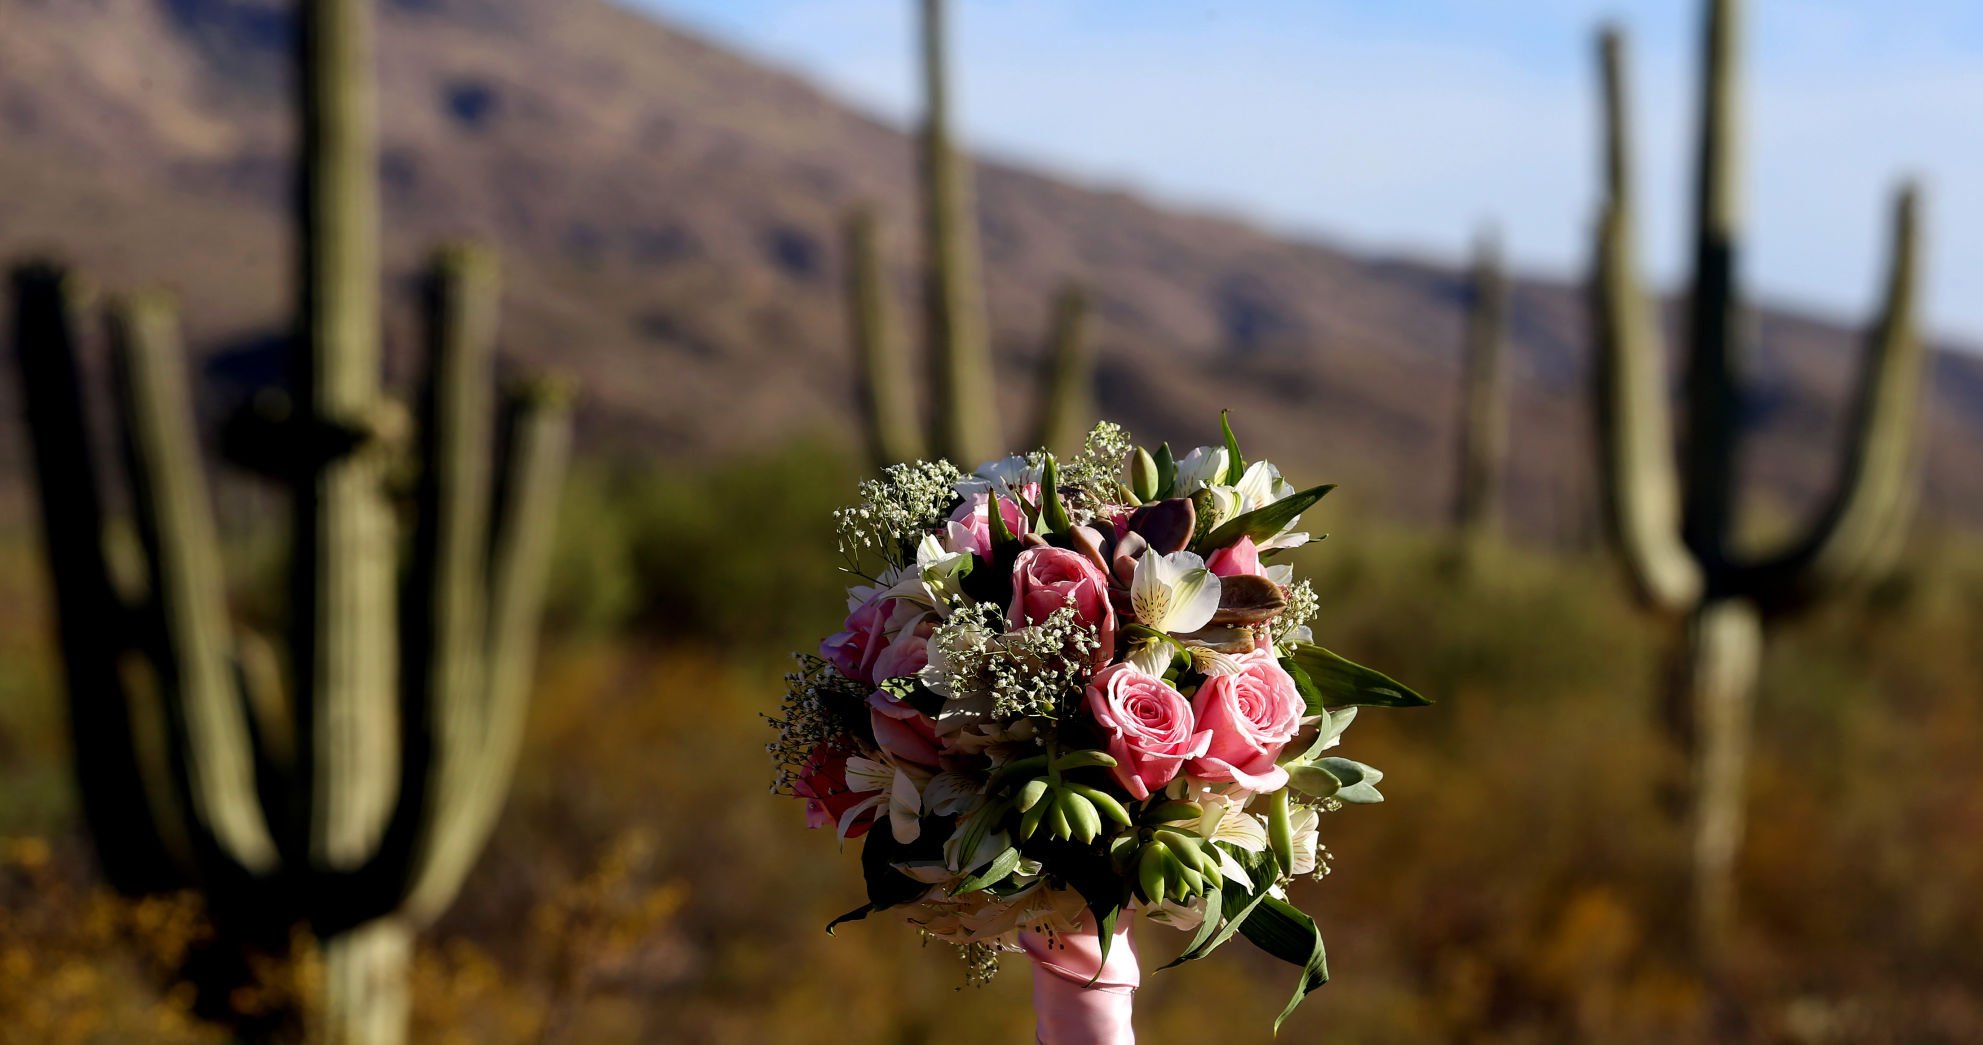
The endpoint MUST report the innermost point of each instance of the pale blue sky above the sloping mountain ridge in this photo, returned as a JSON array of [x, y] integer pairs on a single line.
[[1405, 126]]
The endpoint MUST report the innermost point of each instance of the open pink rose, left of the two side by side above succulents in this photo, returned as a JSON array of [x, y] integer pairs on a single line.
[[1147, 725]]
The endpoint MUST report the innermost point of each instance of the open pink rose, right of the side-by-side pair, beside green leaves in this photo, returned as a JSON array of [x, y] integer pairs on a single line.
[[1252, 717]]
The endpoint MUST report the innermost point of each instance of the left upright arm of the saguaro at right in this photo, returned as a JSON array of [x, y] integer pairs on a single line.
[[1633, 421]]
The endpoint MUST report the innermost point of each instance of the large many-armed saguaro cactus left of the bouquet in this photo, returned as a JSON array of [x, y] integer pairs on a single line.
[[358, 800]]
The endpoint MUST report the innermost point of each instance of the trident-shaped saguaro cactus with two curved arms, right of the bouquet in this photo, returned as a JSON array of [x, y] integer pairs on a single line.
[[1677, 532]]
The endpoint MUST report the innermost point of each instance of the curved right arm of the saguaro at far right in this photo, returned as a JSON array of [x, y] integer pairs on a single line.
[[1869, 515]]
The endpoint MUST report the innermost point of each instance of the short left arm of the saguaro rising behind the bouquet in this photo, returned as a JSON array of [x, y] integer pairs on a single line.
[[887, 398]]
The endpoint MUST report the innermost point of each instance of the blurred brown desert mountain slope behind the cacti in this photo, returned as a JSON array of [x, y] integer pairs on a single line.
[[669, 221]]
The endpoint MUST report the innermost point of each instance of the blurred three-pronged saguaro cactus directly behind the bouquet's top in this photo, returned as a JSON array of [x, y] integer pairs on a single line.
[[965, 423]]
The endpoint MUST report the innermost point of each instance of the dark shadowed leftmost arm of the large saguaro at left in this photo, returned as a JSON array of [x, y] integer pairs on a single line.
[[90, 616]]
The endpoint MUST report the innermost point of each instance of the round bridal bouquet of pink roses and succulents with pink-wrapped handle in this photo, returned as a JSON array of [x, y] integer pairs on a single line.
[[1076, 689]]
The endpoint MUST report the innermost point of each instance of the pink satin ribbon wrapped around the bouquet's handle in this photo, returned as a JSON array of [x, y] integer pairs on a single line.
[[1068, 1008]]
